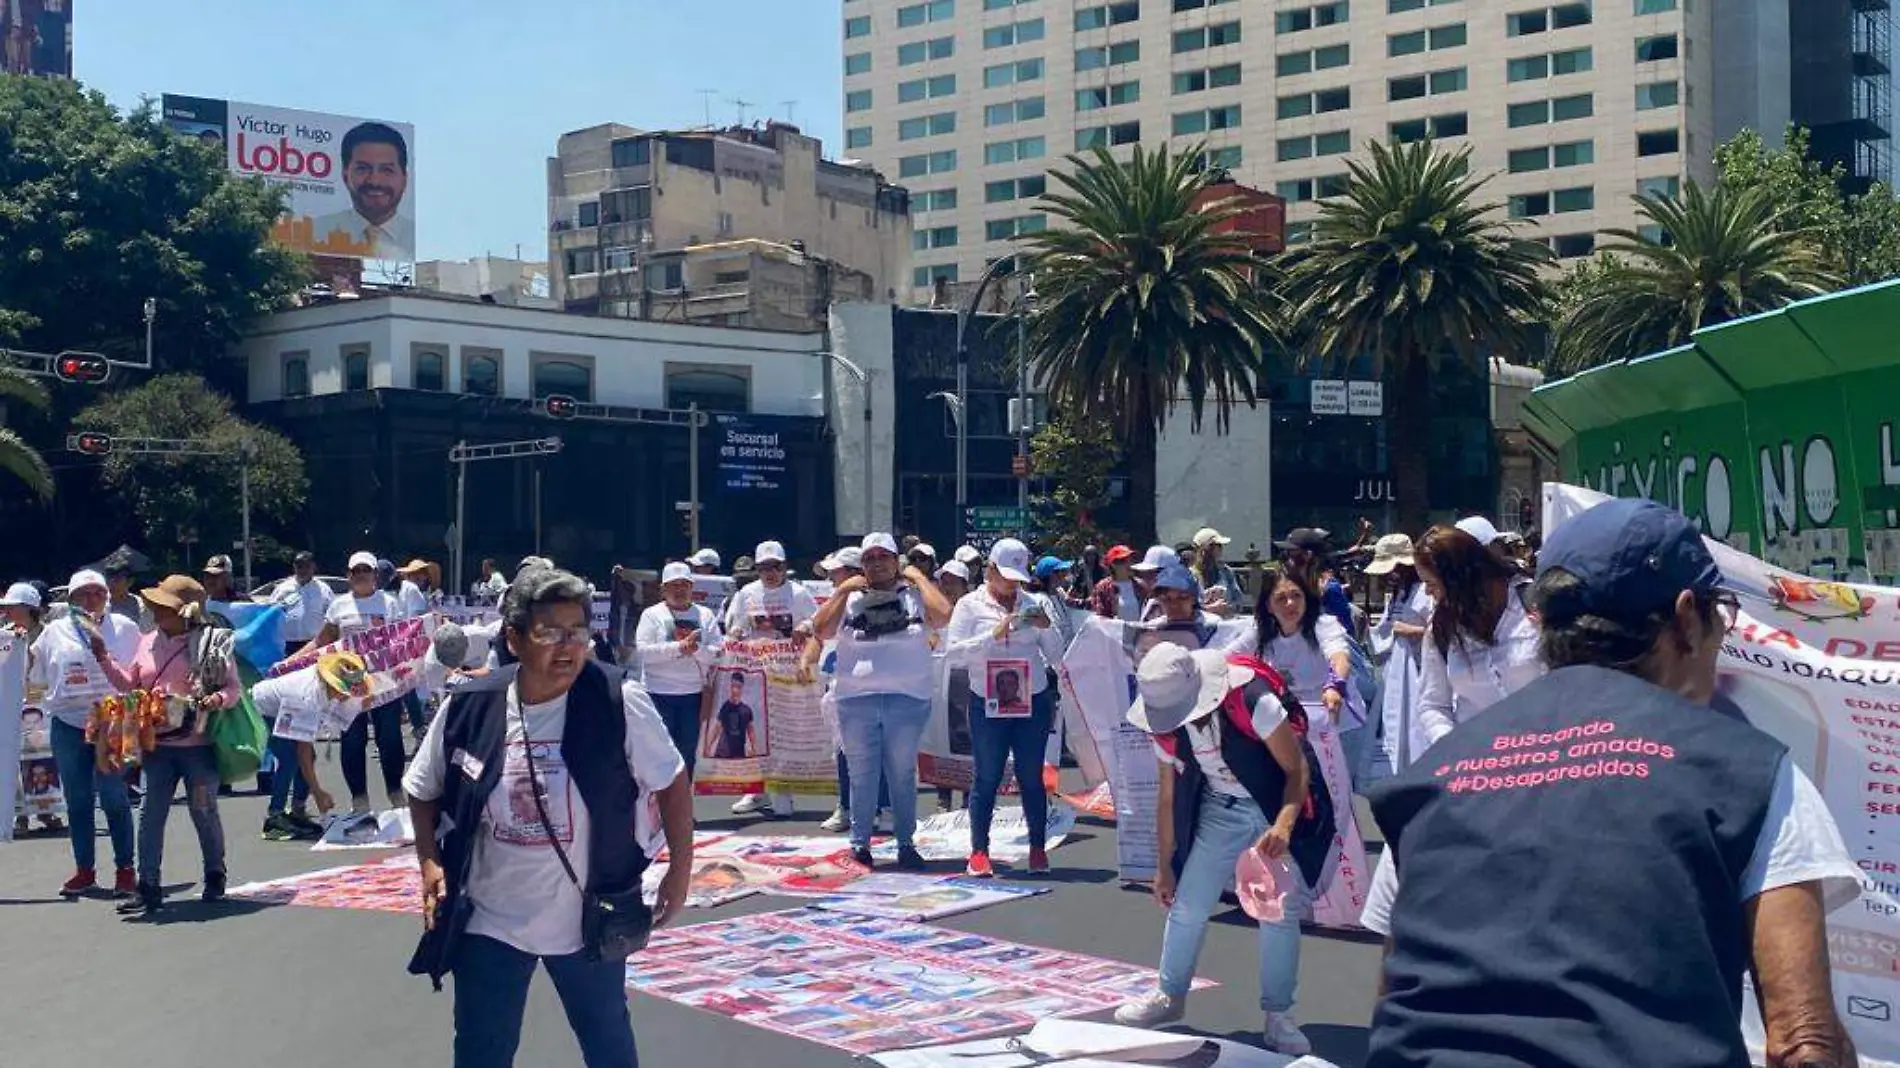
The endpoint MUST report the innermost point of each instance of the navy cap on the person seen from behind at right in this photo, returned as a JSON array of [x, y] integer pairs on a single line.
[[1631, 558]]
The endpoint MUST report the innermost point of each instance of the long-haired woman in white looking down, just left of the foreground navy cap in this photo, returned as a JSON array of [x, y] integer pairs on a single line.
[[1483, 643]]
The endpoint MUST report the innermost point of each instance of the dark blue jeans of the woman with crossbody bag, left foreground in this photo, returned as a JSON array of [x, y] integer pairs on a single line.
[[493, 995]]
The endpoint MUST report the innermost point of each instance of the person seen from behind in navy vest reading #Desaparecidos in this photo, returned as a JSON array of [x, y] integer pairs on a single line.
[[1586, 873]]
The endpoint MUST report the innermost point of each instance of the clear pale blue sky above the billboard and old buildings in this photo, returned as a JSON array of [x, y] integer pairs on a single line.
[[489, 85]]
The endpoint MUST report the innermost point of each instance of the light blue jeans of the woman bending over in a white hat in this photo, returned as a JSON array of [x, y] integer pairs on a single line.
[[1226, 828]]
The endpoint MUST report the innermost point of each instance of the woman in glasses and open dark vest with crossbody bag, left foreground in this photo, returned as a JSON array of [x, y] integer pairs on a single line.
[[523, 795]]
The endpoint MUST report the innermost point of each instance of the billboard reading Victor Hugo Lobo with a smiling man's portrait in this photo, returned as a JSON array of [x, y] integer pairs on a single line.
[[349, 178]]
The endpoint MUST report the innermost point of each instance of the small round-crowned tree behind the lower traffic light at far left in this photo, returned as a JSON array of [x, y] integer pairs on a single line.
[[195, 499]]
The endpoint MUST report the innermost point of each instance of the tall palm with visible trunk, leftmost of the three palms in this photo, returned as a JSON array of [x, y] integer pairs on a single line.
[[1143, 303]]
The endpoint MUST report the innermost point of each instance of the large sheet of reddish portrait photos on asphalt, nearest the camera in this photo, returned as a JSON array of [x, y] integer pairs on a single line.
[[865, 985]]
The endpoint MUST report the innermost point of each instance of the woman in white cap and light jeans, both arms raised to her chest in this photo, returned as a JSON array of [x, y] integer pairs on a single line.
[[883, 622]]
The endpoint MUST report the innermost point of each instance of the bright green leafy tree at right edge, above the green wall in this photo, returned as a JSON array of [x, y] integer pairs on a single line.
[[1861, 233]]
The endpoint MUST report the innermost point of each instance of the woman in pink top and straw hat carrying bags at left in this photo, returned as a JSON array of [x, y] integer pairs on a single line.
[[193, 668]]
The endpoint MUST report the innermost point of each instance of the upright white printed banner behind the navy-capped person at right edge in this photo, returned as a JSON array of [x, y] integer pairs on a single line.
[[1817, 666]]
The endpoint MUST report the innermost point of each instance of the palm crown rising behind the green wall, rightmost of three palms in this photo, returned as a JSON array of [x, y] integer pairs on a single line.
[[1709, 257]]
